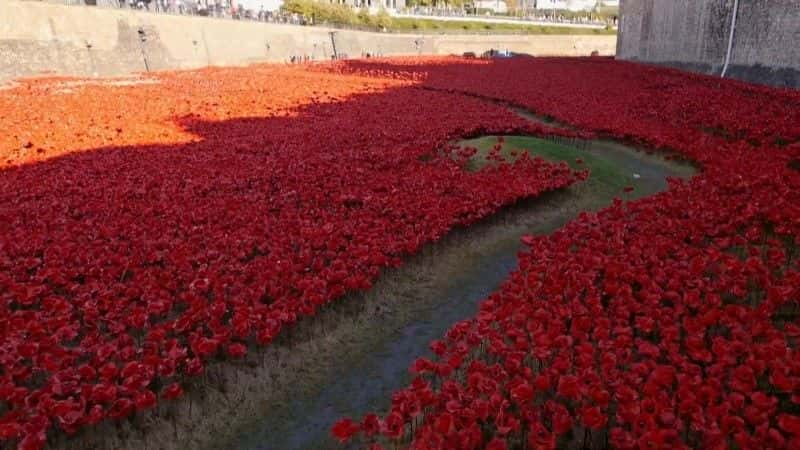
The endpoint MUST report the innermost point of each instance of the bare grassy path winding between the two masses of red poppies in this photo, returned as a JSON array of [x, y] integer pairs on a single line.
[[469, 265]]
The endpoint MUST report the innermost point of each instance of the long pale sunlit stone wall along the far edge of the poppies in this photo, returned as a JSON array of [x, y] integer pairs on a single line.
[[40, 38]]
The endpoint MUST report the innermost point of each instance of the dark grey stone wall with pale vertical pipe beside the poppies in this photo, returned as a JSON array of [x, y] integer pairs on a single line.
[[693, 34]]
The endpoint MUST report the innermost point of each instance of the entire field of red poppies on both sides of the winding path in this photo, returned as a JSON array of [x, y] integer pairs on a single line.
[[150, 228]]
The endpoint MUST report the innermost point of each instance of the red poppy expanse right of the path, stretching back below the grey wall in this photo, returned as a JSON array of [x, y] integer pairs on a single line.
[[667, 322]]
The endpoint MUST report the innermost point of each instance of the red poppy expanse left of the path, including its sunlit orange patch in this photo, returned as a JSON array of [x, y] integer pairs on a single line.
[[125, 269]]
